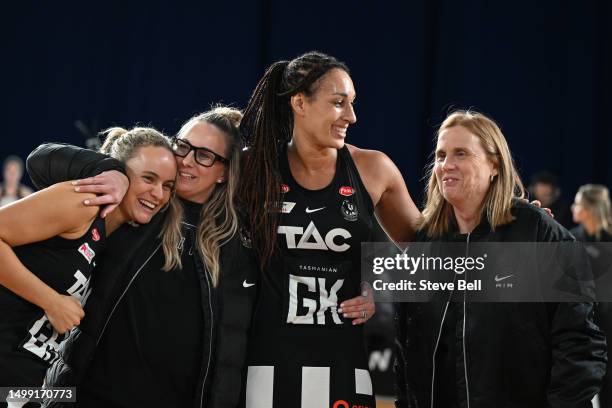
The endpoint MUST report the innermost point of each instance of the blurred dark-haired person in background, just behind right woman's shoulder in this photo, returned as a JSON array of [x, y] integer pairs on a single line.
[[544, 187]]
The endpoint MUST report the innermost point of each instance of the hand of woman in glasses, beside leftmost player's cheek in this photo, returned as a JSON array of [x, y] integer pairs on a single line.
[[110, 186]]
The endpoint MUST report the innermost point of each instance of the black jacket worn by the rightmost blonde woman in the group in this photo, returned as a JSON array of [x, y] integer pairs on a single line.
[[516, 354]]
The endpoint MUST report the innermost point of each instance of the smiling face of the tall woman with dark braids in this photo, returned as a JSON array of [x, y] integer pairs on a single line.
[[325, 116]]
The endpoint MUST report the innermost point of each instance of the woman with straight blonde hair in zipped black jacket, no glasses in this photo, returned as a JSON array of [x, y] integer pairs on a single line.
[[480, 355]]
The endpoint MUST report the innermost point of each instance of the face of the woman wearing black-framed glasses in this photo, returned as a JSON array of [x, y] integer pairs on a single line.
[[196, 182]]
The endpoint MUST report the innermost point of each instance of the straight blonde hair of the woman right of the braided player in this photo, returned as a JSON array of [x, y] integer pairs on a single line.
[[507, 185]]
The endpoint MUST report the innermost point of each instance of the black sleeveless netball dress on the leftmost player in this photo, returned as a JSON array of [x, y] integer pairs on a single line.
[[28, 342]]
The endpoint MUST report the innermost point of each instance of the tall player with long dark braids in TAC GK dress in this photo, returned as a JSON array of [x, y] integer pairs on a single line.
[[311, 200]]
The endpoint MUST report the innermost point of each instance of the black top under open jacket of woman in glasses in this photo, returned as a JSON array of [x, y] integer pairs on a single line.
[[151, 351]]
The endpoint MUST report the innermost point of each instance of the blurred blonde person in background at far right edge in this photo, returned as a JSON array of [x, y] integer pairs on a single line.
[[592, 212]]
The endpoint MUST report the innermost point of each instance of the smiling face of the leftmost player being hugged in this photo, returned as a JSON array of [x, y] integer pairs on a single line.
[[152, 174]]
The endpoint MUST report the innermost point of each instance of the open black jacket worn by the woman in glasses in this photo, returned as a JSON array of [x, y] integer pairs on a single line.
[[228, 308]]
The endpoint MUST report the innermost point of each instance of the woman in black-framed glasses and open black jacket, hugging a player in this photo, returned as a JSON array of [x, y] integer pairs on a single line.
[[181, 332]]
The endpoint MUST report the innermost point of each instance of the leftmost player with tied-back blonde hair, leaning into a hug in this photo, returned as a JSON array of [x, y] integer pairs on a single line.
[[49, 244]]
